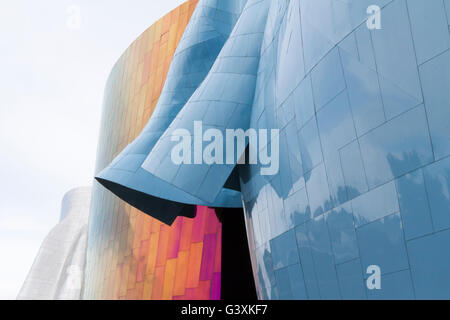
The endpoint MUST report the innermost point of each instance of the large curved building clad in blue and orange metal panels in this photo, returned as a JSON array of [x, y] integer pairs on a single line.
[[357, 96]]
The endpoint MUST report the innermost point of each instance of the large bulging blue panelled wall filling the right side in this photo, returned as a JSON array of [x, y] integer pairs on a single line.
[[368, 187]]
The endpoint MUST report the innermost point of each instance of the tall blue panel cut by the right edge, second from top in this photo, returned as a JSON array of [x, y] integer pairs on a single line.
[[435, 76]]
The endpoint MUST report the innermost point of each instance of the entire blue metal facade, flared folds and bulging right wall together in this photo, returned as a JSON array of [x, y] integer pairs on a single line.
[[364, 143]]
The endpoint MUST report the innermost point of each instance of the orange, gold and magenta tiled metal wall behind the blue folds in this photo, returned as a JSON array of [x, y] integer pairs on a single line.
[[131, 255]]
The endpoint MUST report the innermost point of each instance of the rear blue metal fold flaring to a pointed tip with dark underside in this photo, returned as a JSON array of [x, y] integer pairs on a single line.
[[207, 31]]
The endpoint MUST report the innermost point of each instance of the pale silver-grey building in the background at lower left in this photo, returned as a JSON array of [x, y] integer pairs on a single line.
[[58, 270]]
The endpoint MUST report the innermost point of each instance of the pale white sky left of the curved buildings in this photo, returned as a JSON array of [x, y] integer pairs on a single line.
[[55, 57]]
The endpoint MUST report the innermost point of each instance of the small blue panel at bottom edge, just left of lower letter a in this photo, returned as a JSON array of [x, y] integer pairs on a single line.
[[351, 280]]
